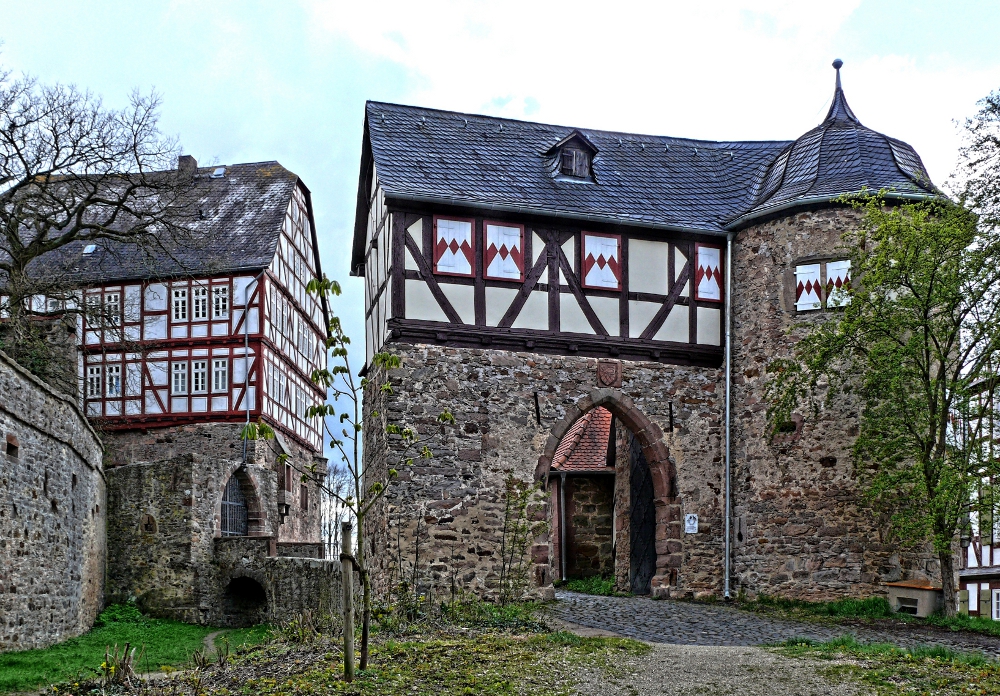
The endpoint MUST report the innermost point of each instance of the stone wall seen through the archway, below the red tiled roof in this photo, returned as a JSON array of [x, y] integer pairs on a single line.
[[589, 540]]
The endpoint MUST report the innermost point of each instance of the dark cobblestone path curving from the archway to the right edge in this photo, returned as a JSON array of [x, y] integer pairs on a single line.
[[687, 623]]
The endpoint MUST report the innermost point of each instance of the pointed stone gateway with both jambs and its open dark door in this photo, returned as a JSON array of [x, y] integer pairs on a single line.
[[653, 469]]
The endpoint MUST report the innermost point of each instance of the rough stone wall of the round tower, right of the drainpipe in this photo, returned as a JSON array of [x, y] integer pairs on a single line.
[[800, 528]]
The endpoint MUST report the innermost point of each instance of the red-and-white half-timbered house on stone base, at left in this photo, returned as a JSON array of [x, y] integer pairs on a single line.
[[183, 343]]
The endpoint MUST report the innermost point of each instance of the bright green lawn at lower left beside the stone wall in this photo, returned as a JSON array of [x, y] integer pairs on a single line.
[[167, 643]]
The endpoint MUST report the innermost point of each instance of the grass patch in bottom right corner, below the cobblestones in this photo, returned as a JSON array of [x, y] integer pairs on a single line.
[[893, 670]]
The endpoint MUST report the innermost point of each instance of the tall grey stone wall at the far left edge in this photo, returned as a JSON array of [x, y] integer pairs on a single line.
[[52, 514]]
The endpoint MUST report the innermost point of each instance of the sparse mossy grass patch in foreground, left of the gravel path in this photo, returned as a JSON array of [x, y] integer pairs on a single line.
[[488, 664]]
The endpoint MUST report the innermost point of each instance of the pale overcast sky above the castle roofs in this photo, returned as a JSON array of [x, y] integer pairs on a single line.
[[287, 81]]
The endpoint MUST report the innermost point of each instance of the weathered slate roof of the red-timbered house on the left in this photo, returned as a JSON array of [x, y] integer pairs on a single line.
[[233, 224]]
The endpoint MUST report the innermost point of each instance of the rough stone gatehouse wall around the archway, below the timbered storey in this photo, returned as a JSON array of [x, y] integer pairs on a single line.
[[456, 496]]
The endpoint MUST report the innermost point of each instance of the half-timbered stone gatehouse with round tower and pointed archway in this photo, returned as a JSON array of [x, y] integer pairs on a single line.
[[532, 275]]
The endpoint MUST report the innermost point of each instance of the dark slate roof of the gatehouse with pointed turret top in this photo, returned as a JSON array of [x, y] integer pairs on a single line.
[[659, 182]]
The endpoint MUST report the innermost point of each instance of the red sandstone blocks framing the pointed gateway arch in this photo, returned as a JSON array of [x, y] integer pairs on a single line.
[[662, 471]]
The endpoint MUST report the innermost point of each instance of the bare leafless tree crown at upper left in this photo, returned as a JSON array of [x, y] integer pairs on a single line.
[[74, 173]]
